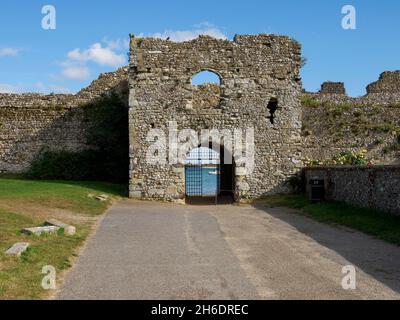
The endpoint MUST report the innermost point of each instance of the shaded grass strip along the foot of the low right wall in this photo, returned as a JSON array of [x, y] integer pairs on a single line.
[[380, 225]]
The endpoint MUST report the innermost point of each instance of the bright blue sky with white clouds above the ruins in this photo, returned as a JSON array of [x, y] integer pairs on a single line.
[[91, 37]]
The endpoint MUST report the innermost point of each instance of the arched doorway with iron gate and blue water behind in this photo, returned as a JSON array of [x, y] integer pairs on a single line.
[[208, 176]]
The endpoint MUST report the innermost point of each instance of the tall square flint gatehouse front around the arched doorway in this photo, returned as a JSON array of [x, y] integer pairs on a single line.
[[252, 69]]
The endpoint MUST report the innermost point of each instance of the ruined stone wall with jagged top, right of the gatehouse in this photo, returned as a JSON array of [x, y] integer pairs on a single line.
[[333, 123]]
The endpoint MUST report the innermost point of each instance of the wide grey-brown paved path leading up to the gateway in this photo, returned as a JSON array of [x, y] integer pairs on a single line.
[[145, 250]]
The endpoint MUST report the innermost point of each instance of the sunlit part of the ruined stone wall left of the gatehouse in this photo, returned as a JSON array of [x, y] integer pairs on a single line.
[[30, 122]]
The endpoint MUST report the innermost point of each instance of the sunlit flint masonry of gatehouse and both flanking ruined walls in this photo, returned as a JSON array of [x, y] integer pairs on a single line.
[[252, 70]]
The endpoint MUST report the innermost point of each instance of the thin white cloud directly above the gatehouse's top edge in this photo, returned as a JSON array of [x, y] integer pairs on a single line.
[[186, 35]]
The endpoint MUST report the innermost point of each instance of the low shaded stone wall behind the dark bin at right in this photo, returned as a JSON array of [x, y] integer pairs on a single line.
[[375, 187]]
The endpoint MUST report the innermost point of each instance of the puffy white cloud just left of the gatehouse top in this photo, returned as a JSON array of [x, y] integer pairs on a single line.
[[104, 56]]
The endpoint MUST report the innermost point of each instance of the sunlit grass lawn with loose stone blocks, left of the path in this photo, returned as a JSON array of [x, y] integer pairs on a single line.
[[26, 203]]
